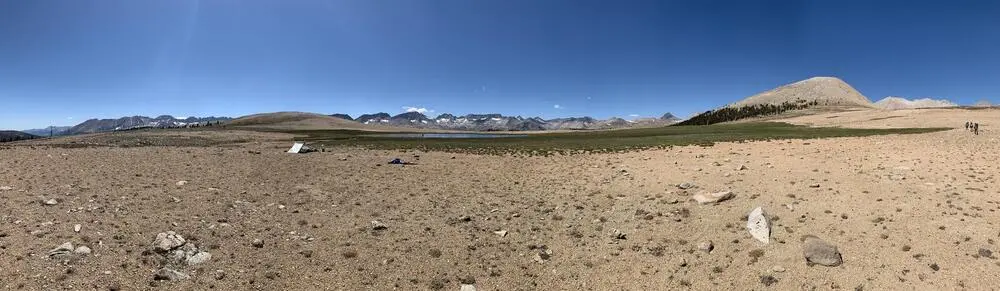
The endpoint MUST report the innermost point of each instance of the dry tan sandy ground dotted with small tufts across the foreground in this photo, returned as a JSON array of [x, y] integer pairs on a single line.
[[912, 212]]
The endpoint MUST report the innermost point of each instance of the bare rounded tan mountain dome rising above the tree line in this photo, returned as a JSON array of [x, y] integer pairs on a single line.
[[825, 90]]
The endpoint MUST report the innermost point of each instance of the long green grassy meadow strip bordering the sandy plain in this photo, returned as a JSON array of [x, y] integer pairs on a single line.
[[548, 144]]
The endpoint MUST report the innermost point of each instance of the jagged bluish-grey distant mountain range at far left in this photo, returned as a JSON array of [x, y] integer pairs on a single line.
[[131, 122]]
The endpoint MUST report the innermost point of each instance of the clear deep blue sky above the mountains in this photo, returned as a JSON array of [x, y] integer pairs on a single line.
[[62, 62]]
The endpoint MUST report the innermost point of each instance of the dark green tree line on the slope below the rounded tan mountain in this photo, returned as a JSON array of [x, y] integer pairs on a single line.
[[736, 113]]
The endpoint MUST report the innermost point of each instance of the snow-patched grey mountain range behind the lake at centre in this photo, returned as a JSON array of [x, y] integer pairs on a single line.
[[499, 122]]
